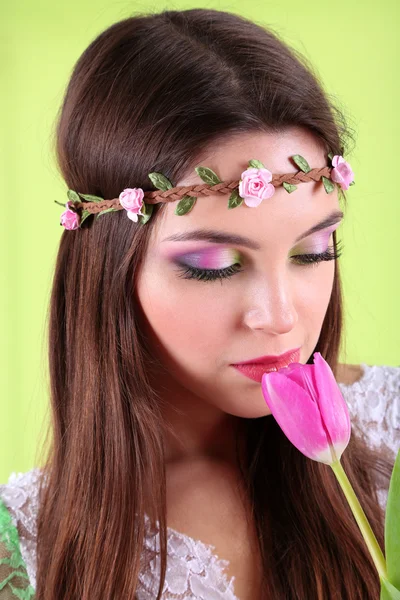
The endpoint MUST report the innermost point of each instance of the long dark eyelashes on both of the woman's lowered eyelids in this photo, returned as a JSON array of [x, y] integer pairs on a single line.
[[307, 260]]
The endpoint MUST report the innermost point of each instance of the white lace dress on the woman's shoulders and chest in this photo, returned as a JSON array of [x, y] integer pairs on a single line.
[[194, 571]]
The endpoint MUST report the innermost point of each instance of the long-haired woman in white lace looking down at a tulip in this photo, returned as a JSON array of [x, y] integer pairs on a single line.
[[160, 445]]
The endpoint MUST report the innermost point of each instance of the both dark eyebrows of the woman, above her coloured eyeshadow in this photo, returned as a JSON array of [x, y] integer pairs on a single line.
[[219, 237]]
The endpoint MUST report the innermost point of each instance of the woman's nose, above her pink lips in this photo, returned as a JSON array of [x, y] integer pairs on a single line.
[[270, 307]]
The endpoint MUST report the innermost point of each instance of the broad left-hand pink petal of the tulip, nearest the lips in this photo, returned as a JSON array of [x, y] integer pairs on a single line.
[[297, 415]]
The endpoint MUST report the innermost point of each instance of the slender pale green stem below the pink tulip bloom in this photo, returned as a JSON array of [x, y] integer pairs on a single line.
[[360, 517]]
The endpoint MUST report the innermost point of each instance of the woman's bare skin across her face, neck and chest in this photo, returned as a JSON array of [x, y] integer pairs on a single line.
[[197, 329]]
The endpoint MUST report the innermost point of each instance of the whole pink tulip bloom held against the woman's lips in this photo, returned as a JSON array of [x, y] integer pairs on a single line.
[[308, 405]]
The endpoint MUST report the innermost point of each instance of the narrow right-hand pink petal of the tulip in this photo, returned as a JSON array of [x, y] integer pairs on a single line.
[[333, 408]]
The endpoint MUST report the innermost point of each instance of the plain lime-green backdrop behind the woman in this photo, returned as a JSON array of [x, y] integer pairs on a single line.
[[355, 50]]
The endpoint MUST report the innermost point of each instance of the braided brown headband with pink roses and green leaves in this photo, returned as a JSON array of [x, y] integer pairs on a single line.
[[256, 184]]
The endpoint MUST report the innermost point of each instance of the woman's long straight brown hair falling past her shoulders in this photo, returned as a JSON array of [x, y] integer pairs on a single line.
[[151, 93]]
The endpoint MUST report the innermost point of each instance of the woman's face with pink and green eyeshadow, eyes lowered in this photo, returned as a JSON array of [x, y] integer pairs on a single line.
[[274, 303]]
